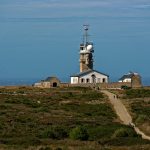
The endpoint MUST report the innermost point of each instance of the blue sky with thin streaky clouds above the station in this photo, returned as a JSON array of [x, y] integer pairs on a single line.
[[40, 38]]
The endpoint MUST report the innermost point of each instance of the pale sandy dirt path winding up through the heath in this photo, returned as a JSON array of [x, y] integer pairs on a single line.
[[122, 112]]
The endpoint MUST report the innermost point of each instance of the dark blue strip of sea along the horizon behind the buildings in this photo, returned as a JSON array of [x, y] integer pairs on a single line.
[[31, 81]]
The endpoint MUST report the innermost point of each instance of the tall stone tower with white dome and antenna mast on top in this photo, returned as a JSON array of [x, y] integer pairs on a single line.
[[86, 52]]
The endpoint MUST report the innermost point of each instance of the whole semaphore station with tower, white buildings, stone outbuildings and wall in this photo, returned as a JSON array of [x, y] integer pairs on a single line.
[[89, 77]]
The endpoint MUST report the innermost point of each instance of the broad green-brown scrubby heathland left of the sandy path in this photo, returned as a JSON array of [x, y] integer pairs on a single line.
[[61, 118]]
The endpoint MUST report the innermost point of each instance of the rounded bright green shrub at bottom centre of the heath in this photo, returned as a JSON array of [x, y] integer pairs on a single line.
[[79, 133]]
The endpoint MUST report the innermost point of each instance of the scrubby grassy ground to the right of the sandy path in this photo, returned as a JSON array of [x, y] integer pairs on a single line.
[[138, 102]]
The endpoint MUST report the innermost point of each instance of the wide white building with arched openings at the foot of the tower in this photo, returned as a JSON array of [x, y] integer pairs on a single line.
[[89, 76]]
